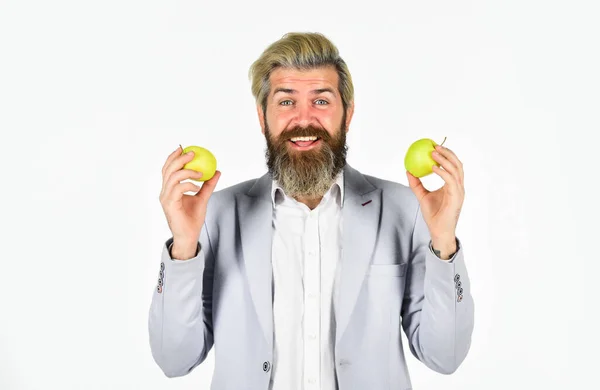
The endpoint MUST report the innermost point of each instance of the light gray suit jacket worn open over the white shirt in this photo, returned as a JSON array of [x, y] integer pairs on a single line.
[[390, 280]]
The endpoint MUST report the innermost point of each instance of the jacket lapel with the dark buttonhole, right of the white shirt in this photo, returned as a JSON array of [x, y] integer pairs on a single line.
[[361, 213]]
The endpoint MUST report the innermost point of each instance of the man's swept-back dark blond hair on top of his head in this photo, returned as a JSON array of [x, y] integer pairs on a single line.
[[301, 51]]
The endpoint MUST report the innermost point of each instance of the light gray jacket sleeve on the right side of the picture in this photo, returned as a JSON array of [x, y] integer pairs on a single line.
[[438, 309]]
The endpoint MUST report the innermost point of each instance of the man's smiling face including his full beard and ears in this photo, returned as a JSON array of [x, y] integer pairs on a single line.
[[305, 128]]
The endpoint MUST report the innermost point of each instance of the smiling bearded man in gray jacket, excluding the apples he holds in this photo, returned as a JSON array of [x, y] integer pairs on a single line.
[[305, 277]]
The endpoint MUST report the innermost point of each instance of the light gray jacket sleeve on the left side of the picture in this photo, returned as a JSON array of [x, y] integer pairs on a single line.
[[180, 315]]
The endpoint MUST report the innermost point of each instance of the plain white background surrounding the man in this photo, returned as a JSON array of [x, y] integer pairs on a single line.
[[95, 95]]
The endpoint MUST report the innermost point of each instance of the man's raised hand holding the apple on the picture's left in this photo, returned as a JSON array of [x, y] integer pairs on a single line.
[[185, 213]]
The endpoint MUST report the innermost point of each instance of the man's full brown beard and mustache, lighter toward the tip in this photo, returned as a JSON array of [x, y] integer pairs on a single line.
[[307, 173]]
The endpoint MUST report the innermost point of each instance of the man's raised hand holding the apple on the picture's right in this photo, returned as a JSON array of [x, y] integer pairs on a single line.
[[441, 208]]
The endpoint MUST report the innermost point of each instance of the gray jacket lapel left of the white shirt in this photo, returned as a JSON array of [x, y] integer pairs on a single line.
[[255, 216]]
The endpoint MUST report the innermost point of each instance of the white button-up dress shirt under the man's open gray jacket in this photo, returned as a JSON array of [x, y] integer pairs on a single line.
[[305, 255]]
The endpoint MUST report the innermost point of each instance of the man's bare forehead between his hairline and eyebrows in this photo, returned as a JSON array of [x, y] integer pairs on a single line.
[[325, 76]]
